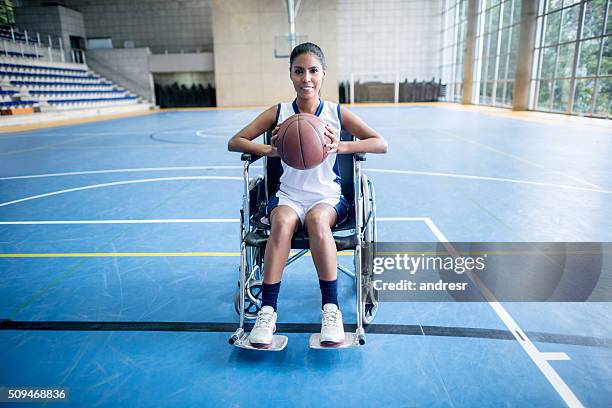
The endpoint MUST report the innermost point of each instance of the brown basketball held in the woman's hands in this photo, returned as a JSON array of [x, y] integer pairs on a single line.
[[301, 141]]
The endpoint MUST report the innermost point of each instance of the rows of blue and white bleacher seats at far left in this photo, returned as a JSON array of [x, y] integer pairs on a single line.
[[42, 85]]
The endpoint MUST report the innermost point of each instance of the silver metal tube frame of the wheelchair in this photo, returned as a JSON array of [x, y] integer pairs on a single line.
[[362, 234]]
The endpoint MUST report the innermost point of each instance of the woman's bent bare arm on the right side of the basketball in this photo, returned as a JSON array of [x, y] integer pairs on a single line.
[[370, 141]]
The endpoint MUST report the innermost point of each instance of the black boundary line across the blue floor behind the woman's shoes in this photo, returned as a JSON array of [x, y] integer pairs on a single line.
[[211, 327]]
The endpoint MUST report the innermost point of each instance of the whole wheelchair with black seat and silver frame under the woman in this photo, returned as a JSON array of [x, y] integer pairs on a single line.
[[357, 233]]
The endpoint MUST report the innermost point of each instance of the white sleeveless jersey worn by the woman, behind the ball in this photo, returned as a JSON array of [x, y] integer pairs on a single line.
[[322, 181]]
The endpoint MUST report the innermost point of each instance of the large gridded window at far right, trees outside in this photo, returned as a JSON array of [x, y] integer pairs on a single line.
[[573, 58]]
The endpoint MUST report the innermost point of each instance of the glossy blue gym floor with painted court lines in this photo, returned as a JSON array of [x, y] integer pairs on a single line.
[[134, 221]]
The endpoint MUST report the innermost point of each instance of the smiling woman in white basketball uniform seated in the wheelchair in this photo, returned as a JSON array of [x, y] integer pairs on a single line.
[[311, 198]]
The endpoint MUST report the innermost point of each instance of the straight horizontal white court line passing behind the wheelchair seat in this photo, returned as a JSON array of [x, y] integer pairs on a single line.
[[165, 221]]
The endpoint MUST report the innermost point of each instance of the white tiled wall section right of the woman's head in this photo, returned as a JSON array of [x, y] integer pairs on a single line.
[[389, 35]]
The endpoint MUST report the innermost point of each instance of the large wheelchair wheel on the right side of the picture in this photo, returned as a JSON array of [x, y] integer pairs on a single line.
[[369, 298]]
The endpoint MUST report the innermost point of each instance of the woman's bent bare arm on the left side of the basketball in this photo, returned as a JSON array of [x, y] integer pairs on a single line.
[[243, 140]]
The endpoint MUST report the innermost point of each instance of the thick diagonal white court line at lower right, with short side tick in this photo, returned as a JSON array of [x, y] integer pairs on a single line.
[[539, 358]]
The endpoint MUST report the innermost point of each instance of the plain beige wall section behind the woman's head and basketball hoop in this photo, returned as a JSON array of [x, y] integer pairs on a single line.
[[246, 72]]
